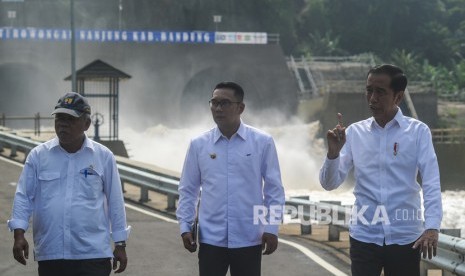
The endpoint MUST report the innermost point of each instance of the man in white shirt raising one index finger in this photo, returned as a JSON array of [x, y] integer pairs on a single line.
[[386, 151]]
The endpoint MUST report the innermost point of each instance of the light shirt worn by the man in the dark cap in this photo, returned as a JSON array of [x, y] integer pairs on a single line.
[[75, 200]]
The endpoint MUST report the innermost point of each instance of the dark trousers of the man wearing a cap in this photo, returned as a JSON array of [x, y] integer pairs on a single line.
[[89, 267]]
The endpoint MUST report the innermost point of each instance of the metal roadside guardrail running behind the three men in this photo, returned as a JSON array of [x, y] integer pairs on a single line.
[[451, 250]]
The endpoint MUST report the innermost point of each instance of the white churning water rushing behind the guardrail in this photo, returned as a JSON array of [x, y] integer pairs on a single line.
[[300, 155]]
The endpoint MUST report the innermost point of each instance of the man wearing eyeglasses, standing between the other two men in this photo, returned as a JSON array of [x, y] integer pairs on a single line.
[[237, 168]]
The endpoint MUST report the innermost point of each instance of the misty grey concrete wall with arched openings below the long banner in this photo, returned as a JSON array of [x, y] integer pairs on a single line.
[[171, 83]]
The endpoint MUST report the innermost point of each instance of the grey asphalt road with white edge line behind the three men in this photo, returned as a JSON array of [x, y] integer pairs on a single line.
[[154, 247]]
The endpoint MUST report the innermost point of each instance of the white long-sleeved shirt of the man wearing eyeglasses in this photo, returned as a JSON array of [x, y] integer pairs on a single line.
[[235, 175]]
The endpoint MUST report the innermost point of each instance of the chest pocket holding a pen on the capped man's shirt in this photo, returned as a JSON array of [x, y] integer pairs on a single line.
[[90, 184]]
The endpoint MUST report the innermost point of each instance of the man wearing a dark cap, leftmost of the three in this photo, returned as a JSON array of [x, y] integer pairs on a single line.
[[71, 187]]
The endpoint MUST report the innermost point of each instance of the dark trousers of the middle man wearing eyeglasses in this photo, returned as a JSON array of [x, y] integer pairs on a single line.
[[215, 261]]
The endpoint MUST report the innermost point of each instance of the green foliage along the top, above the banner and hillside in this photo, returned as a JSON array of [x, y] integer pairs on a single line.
[[426, 37]]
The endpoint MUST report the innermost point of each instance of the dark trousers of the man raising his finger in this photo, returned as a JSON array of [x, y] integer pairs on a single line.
[[397, 260]]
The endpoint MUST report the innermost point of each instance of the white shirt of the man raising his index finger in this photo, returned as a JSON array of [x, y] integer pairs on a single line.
[[387, 194]]
